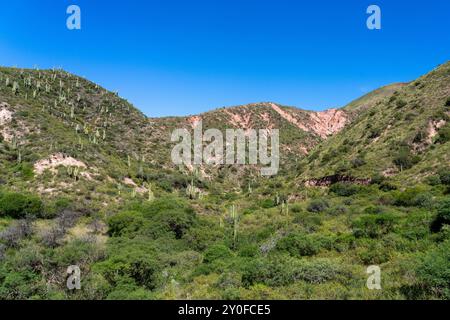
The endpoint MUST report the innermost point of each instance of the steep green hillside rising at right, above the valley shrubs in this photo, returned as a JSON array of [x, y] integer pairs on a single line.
[[402, 135]]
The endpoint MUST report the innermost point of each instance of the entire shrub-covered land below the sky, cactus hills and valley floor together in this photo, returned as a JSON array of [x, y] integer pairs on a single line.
[[86, 179]]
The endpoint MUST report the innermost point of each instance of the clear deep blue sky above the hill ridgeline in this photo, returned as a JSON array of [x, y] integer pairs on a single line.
[[173, 57]]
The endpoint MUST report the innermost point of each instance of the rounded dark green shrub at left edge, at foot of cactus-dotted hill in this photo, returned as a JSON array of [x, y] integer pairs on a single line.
[[18, 205]]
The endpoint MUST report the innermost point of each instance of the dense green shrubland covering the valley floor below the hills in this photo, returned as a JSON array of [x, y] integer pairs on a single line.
[[165, 248]]
